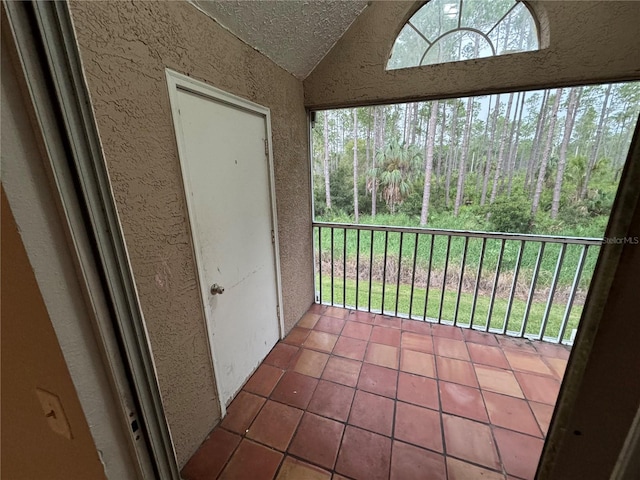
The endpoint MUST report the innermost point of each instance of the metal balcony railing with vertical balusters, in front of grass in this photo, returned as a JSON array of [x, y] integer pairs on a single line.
[[529, 286]]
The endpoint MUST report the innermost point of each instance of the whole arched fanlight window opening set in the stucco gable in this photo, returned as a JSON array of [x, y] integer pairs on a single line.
[[445, 31]]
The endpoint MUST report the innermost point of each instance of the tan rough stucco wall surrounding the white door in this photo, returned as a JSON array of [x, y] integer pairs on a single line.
[[125, 48]]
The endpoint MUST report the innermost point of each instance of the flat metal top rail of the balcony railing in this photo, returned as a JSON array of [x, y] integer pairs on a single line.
[[466, 233]]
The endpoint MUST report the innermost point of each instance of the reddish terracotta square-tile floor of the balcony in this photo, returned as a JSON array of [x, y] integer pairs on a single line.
[[354, 395]]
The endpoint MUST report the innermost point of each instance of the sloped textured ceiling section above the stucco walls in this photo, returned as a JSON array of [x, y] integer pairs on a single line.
[[295, 34]]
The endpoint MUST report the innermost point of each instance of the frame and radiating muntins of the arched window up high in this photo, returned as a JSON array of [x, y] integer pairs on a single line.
[[536, 30]]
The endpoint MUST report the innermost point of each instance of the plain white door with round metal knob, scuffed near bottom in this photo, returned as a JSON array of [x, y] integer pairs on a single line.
[[226, 168]]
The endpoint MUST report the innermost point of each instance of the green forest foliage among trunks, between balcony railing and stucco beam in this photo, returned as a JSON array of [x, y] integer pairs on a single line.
[[396, 167]]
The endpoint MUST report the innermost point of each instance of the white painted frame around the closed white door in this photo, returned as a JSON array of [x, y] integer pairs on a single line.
[[175, 82]]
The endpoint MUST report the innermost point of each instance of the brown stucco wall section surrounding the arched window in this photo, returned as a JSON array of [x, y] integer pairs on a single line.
[[585, 42]]
